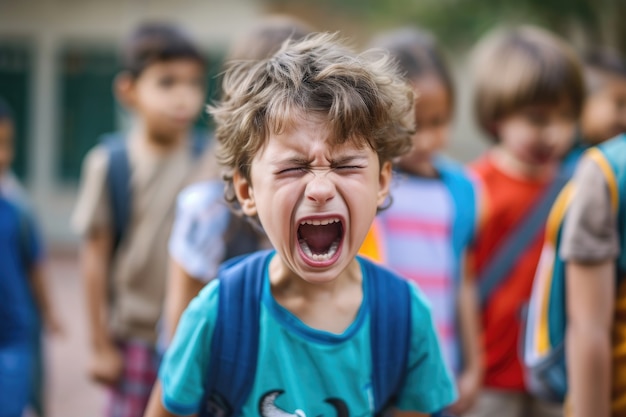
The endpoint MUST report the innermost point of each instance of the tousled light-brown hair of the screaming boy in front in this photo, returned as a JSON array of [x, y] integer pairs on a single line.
[[361, 96]]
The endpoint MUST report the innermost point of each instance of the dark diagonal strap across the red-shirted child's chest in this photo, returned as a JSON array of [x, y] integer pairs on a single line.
[[501, 263]]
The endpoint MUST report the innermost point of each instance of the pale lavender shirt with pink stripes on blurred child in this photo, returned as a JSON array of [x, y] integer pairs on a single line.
[[417, 239]]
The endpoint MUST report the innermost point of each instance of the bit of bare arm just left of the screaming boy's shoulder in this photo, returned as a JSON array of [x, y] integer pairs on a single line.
[[181, 289]]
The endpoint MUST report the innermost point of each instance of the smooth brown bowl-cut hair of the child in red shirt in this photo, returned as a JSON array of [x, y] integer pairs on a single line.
[[522, 66]]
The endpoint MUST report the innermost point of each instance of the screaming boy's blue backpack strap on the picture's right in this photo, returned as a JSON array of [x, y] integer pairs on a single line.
[[390, 332]]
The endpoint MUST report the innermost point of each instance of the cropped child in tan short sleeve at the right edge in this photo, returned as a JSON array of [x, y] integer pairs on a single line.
[[592, 246]]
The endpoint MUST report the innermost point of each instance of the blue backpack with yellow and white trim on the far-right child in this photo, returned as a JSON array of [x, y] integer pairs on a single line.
[[544, 333]]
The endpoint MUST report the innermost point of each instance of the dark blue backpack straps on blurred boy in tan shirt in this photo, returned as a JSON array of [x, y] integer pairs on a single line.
[[118, 177]]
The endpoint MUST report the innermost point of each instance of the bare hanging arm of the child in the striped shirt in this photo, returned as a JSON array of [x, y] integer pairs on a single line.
[[469, 382]]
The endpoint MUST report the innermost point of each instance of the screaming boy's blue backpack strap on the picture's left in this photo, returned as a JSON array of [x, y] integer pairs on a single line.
[[235, 343]]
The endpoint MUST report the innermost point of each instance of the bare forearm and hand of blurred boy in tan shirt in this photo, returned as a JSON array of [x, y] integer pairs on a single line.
[[106, 362]]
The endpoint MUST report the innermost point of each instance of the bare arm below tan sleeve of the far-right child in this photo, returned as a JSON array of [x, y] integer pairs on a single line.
[[590, 301]]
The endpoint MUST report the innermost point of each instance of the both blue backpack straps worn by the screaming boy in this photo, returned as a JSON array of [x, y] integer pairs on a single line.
[[235, 341]]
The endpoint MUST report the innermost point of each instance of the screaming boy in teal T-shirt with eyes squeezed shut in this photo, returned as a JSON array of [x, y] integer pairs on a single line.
[[308, 137]]
